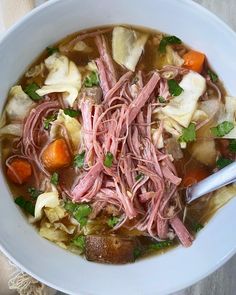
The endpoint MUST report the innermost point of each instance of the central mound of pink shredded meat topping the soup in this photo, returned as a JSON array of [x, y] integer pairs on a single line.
[[142, 181]]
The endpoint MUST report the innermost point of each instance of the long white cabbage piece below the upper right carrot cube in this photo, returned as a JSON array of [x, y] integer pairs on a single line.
[[182, 107]]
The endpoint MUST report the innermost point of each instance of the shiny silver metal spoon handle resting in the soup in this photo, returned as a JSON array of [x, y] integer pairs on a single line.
[[221, 178]]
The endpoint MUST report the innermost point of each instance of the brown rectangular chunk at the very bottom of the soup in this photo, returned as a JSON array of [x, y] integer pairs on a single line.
[[110, 249]]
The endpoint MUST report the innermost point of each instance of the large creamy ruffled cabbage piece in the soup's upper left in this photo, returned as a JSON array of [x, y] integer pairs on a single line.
[[63, 76]]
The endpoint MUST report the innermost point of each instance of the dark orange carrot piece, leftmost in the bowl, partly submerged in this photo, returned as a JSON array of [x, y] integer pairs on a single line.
[[19, 171]]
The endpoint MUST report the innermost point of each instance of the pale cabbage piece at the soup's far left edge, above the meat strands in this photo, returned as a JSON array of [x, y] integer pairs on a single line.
[[19, 104]]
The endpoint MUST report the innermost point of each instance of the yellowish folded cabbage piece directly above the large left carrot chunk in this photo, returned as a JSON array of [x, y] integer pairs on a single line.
[[72, 126]]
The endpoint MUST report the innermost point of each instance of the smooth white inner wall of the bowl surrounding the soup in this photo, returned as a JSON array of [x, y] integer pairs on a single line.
[[62, 270]]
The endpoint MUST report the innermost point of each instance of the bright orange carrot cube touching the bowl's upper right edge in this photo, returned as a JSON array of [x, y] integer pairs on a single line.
[[194, 60]]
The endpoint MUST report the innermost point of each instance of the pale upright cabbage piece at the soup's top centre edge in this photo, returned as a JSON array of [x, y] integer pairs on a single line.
[[127, 46]]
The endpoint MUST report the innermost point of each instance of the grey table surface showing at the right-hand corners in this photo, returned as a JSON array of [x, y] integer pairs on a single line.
[[221, 282]]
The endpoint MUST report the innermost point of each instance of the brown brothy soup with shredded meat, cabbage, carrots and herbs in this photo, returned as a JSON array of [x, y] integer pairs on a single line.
[[104, 132]]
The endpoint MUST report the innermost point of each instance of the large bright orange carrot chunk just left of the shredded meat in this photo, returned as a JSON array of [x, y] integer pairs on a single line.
[[56, 155]]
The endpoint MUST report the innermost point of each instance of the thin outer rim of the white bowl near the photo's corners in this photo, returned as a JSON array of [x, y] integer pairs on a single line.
[[188, 283]]
